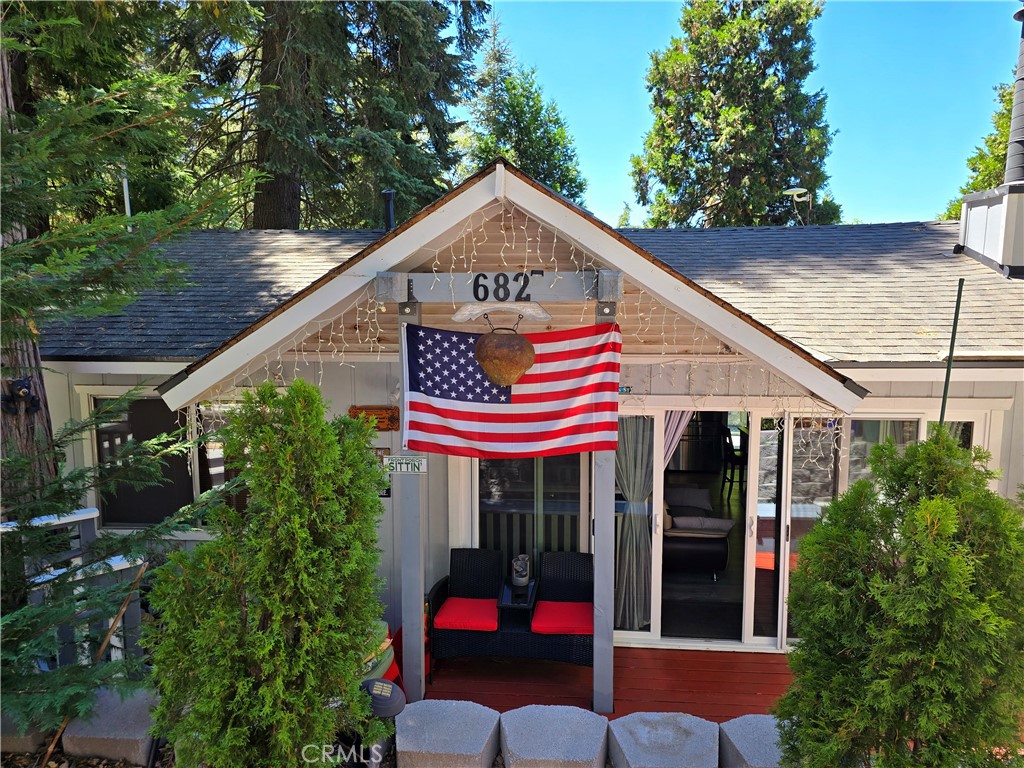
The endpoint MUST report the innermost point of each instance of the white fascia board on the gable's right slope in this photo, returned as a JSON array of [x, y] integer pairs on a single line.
[[681, 297]]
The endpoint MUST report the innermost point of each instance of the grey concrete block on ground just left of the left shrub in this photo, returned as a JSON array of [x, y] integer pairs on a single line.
[[116, 730]]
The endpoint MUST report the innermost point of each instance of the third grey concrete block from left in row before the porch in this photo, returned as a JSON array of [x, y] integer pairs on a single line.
[[663, 740]]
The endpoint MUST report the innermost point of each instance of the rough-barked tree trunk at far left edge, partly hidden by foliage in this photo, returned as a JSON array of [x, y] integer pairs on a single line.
[[22, 434]]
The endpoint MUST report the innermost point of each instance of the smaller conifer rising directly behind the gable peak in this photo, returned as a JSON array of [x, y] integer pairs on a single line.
[[513, 120]]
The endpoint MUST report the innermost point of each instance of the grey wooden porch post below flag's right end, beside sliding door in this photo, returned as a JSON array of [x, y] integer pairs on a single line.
[[605, 580]]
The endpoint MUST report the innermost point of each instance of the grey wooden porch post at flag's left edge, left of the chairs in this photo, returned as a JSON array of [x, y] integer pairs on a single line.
[[410, 513]]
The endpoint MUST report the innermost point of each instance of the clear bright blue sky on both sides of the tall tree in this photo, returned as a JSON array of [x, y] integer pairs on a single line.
[[910, 89]]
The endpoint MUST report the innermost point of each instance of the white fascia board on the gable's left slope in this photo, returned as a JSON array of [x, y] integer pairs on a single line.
[[329, 300]]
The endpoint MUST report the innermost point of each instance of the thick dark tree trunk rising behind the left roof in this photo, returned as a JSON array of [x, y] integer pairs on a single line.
[[276, 205]]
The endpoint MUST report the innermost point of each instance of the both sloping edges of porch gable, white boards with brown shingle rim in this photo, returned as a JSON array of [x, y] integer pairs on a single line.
[[441, 224]]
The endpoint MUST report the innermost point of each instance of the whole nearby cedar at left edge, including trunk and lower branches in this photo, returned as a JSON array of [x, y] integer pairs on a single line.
[[78, 112]]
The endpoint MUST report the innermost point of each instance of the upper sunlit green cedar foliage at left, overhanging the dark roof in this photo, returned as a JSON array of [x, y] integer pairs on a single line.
[[63, 161]]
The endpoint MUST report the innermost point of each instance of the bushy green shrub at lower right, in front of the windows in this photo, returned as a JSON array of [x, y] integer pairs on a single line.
[[909, 600]]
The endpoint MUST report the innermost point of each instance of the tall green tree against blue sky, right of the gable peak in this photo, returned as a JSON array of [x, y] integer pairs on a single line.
[[734, 124]]
